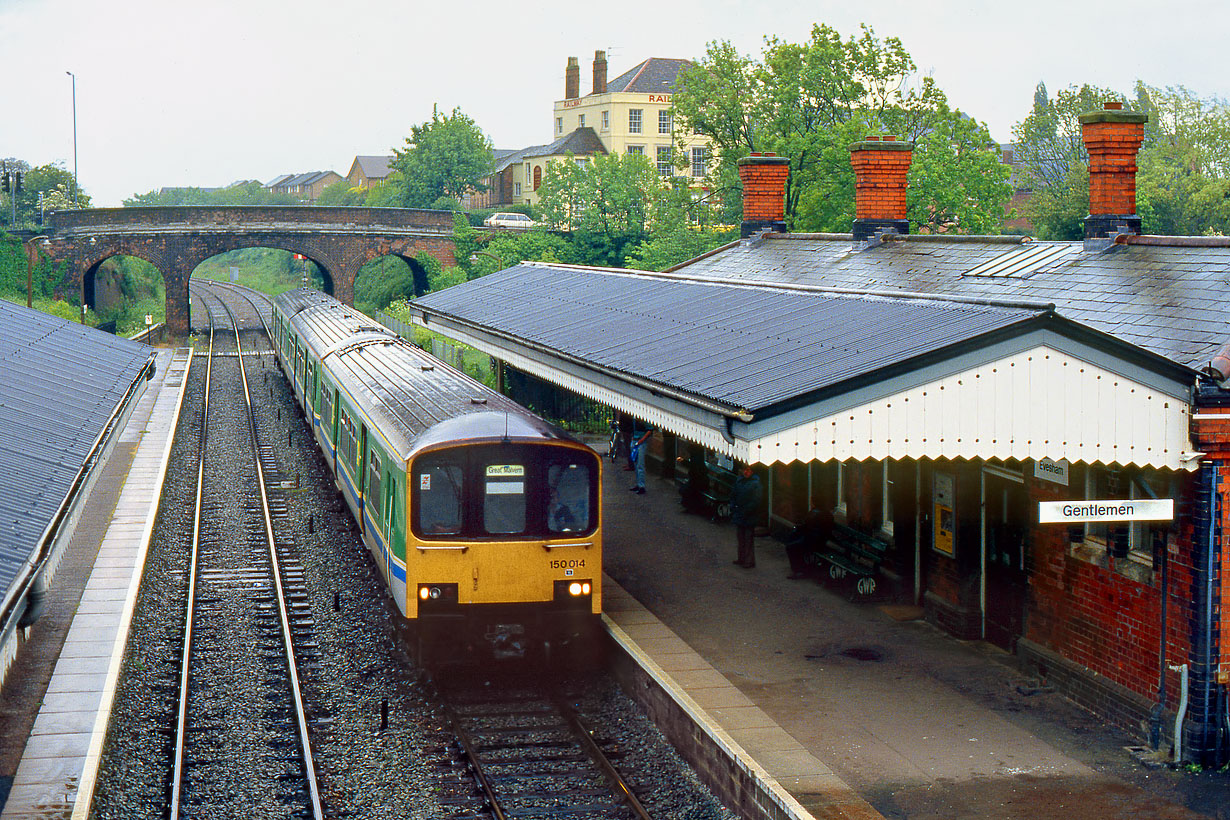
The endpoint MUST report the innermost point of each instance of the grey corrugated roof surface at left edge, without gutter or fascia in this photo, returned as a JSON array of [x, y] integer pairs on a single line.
[[60, 384]]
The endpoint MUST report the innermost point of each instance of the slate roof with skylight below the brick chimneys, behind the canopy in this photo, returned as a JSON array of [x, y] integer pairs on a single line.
[[1167, 299]]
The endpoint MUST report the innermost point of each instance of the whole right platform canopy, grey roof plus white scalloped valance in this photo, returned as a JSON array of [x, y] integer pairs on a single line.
[[780, 374]]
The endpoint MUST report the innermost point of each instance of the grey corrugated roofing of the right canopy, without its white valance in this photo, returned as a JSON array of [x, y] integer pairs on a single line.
[[747, 347]]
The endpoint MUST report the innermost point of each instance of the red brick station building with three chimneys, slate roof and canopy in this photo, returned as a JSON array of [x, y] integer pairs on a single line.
[[933, 393]]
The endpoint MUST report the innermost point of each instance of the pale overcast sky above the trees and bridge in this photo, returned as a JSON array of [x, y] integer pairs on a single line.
[[210, 93]]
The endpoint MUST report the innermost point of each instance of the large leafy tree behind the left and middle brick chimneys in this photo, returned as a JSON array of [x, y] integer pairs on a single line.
[[810, 101]]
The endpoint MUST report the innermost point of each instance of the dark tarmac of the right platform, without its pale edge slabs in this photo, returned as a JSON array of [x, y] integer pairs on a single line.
[[918, 723]]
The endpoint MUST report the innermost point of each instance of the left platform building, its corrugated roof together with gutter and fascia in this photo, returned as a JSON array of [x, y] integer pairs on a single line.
[[66, 394]]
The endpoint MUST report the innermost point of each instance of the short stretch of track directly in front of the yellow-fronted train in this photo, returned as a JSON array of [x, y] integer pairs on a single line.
[[520, 751]]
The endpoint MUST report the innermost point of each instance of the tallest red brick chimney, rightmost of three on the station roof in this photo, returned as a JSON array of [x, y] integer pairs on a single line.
[[1113, 138]]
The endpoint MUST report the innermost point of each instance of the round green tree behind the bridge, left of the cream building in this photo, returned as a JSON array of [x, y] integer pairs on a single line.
[[446, 157]]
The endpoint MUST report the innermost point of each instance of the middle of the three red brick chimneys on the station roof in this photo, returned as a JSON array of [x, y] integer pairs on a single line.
[[880, 168]]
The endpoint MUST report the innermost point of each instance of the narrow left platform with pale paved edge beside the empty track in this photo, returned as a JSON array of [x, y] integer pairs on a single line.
[[55, 723]]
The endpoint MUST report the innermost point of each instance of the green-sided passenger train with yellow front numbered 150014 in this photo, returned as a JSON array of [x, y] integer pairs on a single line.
[[484, 519]]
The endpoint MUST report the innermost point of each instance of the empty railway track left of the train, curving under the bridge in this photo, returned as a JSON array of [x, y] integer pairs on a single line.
[[243, 737]]
